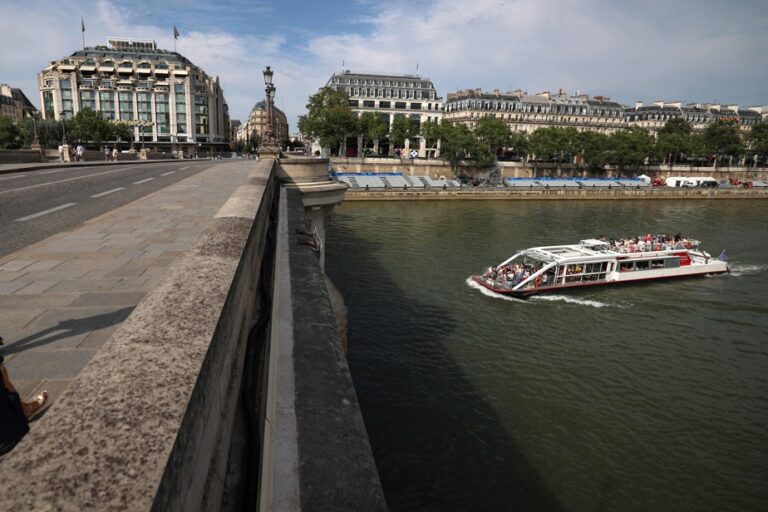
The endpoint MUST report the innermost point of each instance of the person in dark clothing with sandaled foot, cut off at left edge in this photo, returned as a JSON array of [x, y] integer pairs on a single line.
[[15, 414]]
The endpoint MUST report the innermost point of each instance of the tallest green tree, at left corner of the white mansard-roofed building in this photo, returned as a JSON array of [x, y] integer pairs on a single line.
[[328, 117]]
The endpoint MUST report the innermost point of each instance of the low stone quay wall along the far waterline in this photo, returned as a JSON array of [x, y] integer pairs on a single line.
[[498, 194]]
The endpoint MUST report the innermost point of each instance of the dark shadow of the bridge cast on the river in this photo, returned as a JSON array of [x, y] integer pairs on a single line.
[[439, 443]]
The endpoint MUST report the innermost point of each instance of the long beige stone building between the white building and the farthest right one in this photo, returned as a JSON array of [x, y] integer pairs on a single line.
[[526, 113]]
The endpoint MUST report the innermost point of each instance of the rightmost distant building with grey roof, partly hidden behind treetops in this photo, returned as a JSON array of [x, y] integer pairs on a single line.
[[653, 117]]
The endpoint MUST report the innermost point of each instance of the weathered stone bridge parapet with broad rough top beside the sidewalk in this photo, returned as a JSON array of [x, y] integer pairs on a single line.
[[147, 424]]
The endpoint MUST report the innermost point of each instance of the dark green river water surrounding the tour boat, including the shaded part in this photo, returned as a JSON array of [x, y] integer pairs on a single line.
[[634, 398]]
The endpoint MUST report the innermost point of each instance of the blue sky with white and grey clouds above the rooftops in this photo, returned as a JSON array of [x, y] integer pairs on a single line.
[[628, 50]]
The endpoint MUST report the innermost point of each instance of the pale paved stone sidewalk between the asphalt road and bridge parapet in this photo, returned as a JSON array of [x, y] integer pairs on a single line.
[[63, 297]]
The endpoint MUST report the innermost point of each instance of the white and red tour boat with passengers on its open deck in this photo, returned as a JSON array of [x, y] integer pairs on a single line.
[[599, 262]]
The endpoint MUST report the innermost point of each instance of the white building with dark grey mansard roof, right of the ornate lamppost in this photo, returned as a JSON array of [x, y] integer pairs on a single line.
[[389, 96]]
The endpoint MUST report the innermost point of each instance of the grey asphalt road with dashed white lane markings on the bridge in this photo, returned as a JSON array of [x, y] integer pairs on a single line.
[[37, 204]]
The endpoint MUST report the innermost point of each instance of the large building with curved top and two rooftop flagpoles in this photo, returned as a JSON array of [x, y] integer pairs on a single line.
[[161, 93]]
